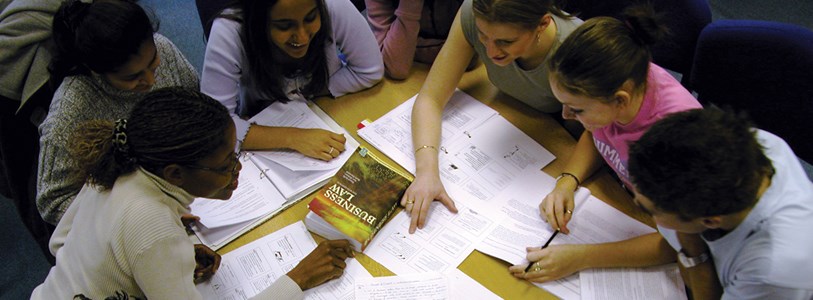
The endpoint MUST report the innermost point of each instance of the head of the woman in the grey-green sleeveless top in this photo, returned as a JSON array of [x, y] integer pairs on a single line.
[[515, 29]]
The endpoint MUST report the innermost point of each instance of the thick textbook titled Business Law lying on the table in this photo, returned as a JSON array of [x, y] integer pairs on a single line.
[[357, 201]]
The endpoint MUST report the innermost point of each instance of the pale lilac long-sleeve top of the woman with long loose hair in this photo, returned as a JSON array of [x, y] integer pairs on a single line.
[[225, 61]]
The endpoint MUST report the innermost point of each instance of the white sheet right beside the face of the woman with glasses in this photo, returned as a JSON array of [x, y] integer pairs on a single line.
[[255, 196]]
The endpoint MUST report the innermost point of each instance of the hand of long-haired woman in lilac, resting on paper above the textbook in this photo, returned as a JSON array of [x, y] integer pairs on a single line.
[[318, 143]]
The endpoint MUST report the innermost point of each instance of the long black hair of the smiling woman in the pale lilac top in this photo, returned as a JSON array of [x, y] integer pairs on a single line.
[[265, 70]]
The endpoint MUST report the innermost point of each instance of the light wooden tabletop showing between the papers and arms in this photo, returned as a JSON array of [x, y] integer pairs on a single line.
[[370, 104]]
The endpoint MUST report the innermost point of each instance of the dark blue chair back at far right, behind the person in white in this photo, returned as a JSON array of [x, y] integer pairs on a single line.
[[764, 68]]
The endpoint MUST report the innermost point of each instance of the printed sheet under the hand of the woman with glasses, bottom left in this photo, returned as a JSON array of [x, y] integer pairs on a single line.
[[248, 270]]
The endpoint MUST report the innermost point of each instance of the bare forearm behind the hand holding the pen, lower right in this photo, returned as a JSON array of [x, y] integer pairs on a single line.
[[646, 250]]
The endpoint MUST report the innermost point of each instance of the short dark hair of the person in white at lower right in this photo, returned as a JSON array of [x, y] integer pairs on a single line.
[[699, 163]]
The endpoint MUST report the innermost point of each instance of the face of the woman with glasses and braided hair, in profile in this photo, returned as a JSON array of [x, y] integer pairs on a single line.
[[216, 175]]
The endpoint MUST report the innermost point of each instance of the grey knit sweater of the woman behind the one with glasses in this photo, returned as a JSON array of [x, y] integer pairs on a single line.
[[81, 98]]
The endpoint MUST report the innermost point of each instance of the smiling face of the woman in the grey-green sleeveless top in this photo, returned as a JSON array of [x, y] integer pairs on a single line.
[[506, 42]]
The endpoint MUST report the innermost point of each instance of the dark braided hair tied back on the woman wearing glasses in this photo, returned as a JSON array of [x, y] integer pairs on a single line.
[[168, 126]]
